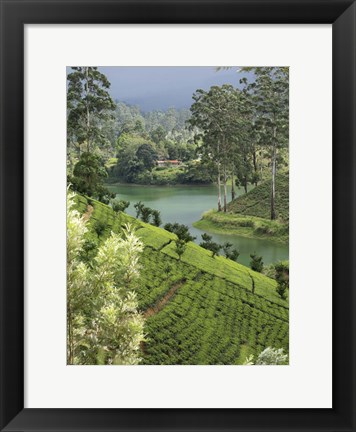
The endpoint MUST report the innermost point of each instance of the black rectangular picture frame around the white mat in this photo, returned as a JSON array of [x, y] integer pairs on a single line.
[[14, 15]]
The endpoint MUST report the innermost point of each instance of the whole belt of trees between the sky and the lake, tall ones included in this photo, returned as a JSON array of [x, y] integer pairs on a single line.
[[229, 135]]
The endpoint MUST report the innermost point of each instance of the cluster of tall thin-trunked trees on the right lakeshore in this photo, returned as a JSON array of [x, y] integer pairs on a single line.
[[238, 126]]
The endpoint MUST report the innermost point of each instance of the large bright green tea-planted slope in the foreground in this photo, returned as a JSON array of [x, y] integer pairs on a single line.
[[199, 310]]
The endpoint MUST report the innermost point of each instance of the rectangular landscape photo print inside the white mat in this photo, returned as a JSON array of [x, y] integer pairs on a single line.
[[178, 215]]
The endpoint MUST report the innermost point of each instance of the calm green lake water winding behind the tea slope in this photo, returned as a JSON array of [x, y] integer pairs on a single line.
[[185, 204]]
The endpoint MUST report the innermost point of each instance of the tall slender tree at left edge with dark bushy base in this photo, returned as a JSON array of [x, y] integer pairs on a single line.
[[89, 107]]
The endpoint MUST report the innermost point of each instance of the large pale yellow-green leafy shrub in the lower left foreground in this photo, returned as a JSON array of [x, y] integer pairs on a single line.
[[103, 323]]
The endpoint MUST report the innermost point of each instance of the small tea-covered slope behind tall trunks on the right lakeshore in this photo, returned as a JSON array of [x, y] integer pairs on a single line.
[[257, 202]]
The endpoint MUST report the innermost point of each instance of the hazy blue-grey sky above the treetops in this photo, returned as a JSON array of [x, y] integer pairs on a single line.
[[158, 88]]
